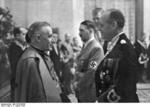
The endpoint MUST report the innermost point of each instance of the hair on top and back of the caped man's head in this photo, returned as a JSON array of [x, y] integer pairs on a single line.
[[35, 27]]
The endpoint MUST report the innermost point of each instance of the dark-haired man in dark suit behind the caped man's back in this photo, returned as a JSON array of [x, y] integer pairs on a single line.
[[15, 51]]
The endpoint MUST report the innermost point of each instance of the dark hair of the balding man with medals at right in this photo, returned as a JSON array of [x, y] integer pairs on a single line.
[[116, 15]]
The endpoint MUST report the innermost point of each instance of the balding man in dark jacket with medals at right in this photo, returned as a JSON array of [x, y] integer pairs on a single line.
[[116, 76]]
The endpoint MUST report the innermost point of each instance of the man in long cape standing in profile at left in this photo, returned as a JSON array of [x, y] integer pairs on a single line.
[[36, 80]]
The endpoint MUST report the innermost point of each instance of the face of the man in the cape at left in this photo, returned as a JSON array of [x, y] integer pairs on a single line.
[[46, 38]]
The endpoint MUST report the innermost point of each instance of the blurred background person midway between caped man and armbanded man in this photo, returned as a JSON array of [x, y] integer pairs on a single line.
[[67, 64]]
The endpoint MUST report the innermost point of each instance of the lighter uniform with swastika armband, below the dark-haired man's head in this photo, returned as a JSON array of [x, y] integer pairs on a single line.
[[87, 62]]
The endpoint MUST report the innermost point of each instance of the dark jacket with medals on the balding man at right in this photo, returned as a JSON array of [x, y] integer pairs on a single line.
[[126, 72]]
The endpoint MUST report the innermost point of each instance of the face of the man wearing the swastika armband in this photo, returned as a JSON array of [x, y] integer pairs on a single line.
[[84, 33]]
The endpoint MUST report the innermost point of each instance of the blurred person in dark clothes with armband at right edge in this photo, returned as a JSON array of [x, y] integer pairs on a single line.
[[142, 49]]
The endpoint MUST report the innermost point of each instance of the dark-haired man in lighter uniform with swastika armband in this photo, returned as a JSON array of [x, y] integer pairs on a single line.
[[87, 62]]
